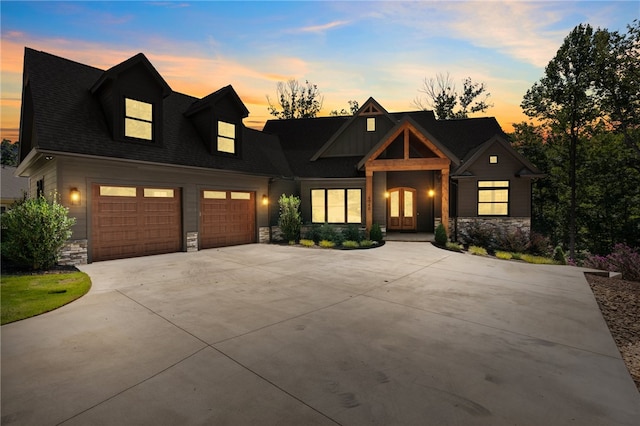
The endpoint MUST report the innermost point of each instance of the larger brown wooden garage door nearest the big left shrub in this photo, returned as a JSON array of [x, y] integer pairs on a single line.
[[132, 221]]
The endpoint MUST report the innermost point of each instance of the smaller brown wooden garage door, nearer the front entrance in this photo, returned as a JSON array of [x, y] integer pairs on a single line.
[[227, 218]]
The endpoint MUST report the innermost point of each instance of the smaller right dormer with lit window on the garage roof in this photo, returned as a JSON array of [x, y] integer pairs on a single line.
[[218, 119]]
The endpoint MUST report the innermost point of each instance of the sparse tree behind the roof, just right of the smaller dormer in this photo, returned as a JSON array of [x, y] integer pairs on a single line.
[[296, 100]]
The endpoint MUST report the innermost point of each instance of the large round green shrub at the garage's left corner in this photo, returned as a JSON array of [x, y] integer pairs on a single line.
[[34, 231]]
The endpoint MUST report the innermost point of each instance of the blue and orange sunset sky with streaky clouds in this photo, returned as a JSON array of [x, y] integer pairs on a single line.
[[350, 49]]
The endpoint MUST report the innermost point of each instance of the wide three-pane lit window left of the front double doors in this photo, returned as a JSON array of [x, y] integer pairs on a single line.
[[336, 205]]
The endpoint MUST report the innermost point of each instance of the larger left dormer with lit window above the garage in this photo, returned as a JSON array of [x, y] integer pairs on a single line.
[[131, 94]]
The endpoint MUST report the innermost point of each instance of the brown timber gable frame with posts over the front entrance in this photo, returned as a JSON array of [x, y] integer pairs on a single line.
[[441, 162]]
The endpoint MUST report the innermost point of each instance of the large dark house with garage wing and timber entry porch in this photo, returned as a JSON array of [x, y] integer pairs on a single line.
[[147, 170]]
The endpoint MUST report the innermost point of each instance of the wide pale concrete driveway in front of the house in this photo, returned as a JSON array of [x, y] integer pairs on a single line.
[[405, 334]]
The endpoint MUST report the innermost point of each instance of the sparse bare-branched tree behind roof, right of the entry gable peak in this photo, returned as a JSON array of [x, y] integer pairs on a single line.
[[441, 96]]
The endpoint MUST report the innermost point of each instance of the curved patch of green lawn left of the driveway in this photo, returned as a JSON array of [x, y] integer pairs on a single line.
[[25, 296]]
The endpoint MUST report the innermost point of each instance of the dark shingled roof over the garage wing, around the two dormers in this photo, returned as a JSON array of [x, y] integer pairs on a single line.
[[68, 118]]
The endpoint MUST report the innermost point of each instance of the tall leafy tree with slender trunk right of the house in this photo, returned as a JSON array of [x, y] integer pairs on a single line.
[[565, 102]]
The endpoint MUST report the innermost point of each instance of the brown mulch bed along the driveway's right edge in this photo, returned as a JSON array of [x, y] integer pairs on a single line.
[[619, 302]]
